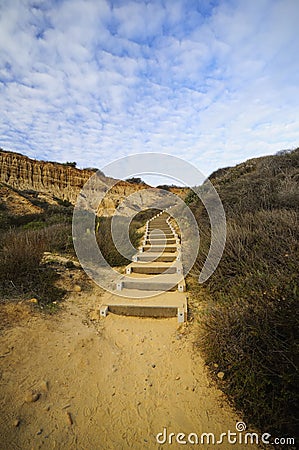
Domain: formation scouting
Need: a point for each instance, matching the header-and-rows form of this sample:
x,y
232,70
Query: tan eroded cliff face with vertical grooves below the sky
x,y
51,181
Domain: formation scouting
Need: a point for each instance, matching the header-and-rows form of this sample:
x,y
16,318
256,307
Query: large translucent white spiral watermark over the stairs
x,y
96,195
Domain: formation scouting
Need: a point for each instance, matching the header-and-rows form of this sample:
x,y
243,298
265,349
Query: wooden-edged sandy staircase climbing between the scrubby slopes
x,y
153,284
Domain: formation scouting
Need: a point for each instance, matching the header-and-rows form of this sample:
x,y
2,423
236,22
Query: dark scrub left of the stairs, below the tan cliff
x,y
25,238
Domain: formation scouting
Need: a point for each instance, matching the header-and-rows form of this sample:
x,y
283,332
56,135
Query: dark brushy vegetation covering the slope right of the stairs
x,y
250,324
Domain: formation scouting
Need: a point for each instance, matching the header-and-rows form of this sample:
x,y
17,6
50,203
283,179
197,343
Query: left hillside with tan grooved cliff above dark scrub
x,y
36,208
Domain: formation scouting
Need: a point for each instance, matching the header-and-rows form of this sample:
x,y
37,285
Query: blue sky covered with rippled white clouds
x,y
212,82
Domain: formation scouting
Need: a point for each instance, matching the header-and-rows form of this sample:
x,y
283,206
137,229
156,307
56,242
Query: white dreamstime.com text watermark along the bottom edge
x,y
239,436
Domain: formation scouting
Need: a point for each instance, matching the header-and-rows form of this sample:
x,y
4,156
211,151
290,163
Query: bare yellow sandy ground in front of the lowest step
x,y
110,383
